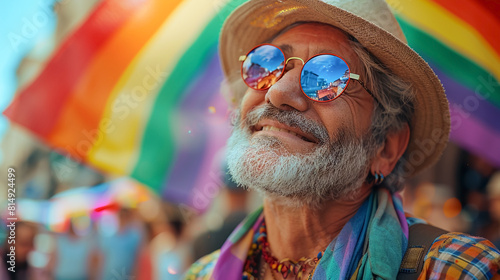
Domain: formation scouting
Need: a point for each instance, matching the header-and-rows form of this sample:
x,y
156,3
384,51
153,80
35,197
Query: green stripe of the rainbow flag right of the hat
x,y
452,63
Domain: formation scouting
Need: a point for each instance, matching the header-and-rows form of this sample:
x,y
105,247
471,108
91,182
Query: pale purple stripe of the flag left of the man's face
x,y
203,130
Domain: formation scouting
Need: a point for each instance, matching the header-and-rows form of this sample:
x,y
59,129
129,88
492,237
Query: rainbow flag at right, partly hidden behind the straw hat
x,y
461,41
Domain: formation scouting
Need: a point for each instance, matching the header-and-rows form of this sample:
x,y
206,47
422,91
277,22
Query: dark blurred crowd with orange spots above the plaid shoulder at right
x,y
464,196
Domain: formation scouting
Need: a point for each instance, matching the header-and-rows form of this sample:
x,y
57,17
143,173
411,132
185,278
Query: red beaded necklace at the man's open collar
x,y
286,267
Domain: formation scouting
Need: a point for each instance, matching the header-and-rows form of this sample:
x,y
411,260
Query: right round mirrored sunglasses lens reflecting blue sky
x,y
324,77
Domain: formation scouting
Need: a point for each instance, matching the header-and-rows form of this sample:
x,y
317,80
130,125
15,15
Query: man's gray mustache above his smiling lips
x,y
289,118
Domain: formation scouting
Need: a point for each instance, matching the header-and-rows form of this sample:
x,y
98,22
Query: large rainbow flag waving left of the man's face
x,y
134,91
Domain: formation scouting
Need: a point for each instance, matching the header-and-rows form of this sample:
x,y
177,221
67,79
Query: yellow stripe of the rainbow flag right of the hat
x,y
448,28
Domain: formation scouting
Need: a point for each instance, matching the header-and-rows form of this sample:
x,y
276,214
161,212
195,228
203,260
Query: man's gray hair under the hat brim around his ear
x,y
395,106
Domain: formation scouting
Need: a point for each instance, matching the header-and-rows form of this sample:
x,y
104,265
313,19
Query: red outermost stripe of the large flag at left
x,y
38,105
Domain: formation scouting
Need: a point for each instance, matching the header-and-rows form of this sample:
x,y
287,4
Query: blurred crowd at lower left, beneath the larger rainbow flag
x,y
121,244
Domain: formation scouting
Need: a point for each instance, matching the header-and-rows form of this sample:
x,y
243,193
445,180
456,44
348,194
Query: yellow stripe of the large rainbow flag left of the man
x,y
130,103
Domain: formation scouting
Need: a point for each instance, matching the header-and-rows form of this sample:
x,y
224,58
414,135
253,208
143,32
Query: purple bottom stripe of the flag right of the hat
x,y
470,133
